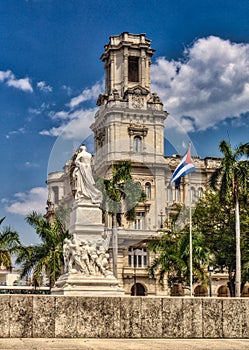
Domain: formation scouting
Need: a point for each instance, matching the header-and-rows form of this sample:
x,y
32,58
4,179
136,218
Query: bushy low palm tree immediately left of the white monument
x,y
46,257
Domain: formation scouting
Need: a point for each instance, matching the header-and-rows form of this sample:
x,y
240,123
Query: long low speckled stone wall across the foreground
x,y
36,316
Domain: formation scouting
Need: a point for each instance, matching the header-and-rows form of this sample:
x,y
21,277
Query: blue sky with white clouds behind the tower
x,y
51,75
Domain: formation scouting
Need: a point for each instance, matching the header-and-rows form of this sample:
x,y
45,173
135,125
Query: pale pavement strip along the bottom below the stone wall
x,y
122,344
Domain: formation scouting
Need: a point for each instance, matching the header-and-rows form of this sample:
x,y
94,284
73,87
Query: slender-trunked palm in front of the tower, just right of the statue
x,y
120,195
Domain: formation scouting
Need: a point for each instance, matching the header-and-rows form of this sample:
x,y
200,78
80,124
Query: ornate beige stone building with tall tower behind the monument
x,y
129,125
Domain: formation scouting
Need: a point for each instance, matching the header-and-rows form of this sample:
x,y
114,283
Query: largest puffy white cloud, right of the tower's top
x,y
208,86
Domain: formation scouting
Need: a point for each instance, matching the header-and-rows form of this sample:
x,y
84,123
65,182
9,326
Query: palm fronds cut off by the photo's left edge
x,y
9,244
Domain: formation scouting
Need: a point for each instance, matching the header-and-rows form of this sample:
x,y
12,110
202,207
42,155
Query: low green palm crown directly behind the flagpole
x,y
172,250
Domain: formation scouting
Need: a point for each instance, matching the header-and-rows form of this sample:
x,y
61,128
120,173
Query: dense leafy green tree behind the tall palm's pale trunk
x,y
216,221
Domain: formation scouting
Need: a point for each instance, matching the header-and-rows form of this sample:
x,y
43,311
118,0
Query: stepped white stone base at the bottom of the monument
x,y
76,284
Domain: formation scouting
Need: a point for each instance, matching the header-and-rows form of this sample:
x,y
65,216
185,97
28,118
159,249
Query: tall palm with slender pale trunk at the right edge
x,y
232,179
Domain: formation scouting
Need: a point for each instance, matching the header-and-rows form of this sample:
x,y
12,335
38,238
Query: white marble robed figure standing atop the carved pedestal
x,y
82,174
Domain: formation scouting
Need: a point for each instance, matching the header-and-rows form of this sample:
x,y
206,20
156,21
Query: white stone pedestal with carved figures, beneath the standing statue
x,y
86,257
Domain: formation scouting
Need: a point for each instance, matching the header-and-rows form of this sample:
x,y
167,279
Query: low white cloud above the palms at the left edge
x,y
26,202
